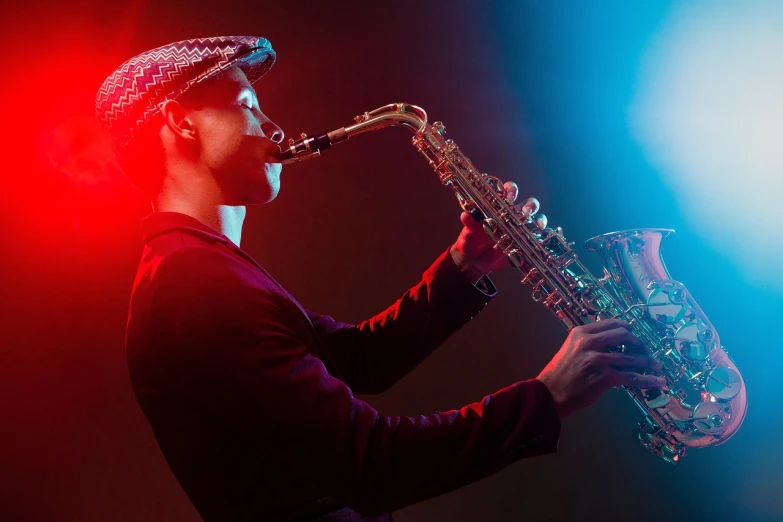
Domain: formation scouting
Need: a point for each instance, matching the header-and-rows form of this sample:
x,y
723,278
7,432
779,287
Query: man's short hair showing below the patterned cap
x,y
143,160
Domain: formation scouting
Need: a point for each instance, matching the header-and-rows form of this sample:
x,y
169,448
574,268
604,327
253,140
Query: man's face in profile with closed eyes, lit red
x,y
237,142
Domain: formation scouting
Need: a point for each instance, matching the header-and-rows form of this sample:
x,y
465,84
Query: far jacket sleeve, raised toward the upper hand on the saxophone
x,y
375,354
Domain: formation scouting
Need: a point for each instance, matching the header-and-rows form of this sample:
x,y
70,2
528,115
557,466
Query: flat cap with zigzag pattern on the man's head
x,y
133,94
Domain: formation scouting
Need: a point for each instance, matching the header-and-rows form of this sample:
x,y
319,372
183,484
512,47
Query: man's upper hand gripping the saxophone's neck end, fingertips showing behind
x,y
474,252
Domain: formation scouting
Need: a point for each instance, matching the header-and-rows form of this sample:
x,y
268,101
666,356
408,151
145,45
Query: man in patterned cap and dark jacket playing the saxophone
x,y
251,396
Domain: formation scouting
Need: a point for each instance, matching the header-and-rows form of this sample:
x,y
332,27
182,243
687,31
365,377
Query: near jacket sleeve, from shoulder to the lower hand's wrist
x,y
251,370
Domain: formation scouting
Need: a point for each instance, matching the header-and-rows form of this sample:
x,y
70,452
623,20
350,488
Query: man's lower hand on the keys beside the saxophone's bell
x,y
583,368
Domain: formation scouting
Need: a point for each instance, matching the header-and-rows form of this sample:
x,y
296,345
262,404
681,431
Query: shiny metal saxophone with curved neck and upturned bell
x,y
704,400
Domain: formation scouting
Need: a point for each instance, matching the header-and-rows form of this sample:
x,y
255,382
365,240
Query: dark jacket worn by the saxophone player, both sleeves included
x,y
251,397
